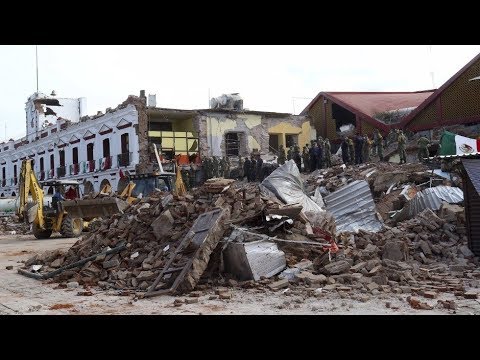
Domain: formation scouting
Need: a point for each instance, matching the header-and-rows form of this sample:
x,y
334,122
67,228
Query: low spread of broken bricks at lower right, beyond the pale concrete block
x,y
422,254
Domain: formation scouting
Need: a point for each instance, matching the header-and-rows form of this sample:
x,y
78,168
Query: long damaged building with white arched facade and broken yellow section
x,y
101,149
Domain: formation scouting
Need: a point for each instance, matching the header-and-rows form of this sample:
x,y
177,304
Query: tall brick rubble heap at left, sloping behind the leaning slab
x,y
152,229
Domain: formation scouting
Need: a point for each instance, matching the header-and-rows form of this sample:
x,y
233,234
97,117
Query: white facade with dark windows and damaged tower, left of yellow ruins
x,y
67,131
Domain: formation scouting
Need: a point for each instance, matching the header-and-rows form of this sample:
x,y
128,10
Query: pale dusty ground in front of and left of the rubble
x,y
23,295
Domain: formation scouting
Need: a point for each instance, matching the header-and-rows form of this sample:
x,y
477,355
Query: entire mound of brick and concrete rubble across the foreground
x,y
261,242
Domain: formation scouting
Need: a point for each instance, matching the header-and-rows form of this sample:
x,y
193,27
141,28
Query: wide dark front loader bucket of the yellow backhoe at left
x,y
92,208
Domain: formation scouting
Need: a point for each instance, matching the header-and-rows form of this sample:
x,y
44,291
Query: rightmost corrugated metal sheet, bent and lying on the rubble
x,y
430,198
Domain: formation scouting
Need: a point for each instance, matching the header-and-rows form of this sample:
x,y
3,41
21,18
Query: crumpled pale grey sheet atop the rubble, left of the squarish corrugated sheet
x,y
287,185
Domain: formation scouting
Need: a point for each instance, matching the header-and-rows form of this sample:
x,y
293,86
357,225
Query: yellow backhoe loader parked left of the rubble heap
x,y
67,216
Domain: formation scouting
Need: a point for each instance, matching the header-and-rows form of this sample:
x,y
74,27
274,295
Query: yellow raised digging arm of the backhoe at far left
x,y
29,185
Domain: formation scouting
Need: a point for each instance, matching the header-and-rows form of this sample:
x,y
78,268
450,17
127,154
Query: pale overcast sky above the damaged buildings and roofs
x,y
269,78
